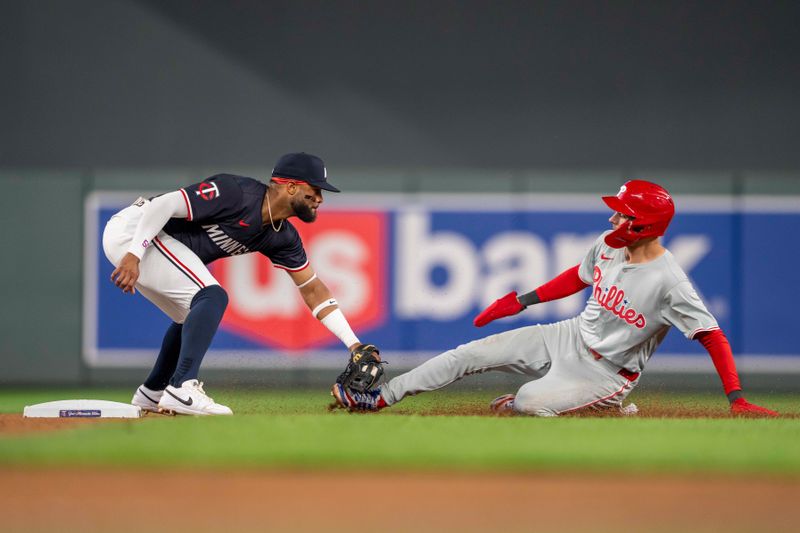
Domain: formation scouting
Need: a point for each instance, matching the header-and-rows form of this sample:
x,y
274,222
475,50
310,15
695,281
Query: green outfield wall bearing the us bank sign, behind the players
x,y
512,231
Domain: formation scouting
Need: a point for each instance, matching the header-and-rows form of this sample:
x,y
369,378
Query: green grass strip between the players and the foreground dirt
x,y
280,429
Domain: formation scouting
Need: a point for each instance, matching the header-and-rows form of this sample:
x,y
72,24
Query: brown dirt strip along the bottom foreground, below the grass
x,y
95,500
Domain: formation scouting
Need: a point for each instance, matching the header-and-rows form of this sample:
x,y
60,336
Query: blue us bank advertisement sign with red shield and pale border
x,y
410,275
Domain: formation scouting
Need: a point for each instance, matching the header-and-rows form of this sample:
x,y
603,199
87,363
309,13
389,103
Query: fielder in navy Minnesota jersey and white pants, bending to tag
x,y
161,247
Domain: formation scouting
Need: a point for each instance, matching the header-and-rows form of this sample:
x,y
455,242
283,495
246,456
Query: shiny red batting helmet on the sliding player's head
x,y
649,204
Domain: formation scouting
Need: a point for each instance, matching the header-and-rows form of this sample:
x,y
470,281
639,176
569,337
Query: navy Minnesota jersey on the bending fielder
x,y
225,219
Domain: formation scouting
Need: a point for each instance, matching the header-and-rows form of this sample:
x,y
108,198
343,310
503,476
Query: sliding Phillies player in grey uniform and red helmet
x,y
594,360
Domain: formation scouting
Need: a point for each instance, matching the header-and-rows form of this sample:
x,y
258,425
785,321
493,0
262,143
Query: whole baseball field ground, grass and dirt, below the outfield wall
x,y
437,462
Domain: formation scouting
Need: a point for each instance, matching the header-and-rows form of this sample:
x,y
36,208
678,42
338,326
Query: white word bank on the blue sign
x,y
510,260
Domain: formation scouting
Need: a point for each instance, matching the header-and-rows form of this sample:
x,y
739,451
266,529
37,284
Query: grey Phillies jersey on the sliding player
x,y
633,305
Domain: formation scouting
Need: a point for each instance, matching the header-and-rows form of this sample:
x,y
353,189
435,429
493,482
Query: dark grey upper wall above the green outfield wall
x,y
407,83
